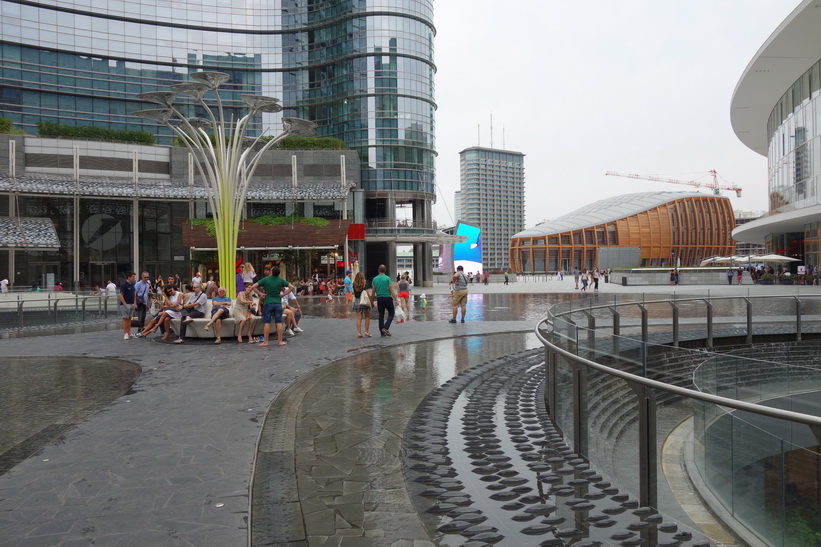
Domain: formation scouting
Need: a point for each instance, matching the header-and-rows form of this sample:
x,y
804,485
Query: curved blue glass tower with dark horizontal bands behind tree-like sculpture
x,y
362,69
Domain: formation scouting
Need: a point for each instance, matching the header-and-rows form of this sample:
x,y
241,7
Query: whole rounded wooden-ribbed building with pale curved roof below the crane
x,y
660,228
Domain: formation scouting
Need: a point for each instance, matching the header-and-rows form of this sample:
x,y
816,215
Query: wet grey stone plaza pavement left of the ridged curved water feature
x,y
172,461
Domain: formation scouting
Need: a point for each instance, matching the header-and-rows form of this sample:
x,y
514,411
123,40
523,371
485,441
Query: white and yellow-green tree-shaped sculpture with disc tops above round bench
x,y
227,163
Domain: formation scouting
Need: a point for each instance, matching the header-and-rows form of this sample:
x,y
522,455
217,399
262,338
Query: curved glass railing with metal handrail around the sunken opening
x,y
624,374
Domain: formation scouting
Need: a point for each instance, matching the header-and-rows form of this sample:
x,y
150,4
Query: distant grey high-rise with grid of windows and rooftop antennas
x,y
493,199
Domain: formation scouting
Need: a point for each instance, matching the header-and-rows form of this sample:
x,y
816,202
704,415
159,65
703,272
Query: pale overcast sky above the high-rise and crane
x,y
634,86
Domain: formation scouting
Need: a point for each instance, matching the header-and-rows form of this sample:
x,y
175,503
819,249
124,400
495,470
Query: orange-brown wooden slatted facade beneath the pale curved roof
x,y
690,229
